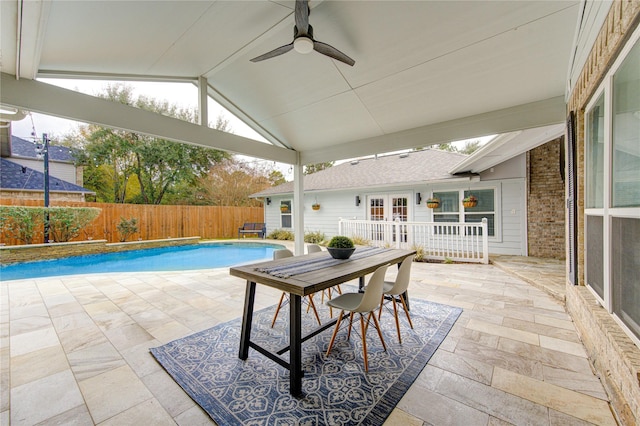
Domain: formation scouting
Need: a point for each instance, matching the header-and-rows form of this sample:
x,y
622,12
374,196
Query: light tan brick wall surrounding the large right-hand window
x,y
613,354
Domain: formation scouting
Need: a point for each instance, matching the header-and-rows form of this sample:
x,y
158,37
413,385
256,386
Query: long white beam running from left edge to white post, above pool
x,y
45,98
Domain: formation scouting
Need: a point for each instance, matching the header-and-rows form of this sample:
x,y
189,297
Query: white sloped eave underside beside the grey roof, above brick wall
x,y
506,146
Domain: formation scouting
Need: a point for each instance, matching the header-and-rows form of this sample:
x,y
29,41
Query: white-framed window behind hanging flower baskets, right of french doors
x,y
452,210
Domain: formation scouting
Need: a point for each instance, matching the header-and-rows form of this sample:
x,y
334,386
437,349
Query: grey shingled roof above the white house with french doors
x,y
427,165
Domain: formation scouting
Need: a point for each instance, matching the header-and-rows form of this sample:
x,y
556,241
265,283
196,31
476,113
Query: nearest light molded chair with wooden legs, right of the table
x,y
363,304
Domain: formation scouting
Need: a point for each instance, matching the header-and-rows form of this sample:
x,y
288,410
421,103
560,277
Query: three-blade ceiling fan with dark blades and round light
x,y
303,41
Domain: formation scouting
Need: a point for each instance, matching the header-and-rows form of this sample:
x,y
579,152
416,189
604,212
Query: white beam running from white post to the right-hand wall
x,y
527,116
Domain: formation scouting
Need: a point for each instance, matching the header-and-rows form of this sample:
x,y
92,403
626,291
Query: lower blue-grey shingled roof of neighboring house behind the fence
x,y
14,176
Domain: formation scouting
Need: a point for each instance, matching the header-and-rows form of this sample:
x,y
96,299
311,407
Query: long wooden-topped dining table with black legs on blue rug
x,y
302,276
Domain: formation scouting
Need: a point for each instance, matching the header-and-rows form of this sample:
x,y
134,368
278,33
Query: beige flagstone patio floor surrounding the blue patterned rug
x,y
75,349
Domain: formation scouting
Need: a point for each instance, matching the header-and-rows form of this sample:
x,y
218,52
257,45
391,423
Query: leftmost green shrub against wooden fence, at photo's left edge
x,y
22,223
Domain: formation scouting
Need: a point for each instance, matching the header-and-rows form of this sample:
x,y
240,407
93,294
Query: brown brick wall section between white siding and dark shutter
x,y
545,202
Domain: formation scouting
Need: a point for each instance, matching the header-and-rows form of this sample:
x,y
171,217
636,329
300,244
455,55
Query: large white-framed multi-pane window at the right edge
x,y
612,190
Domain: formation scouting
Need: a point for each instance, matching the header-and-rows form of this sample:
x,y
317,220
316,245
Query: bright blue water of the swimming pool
x,y
200,256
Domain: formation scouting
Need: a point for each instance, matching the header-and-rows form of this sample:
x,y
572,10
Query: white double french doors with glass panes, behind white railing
x,y
387,209
